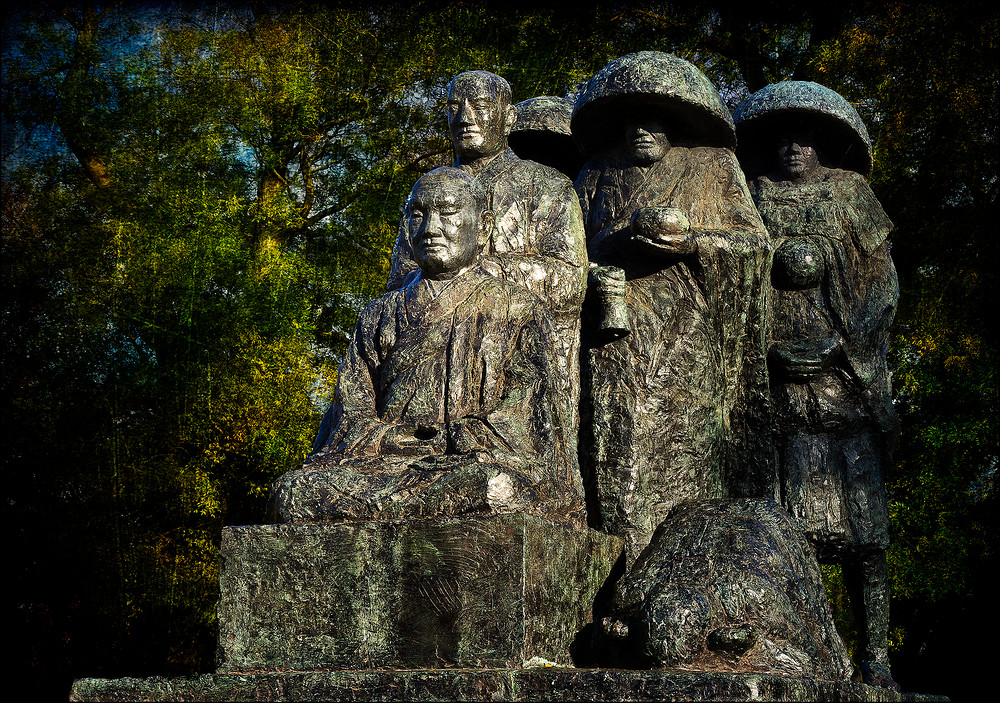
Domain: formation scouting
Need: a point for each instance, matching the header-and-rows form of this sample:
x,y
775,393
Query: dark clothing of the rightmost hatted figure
x,y
836,428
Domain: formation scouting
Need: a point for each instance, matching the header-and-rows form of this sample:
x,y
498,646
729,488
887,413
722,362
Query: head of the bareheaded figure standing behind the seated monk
x,y
479,116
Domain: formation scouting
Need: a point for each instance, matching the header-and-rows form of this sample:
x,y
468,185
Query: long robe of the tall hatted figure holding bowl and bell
x,y
676,409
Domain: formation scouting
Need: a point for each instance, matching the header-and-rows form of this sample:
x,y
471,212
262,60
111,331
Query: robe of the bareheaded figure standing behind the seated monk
x,y
537,244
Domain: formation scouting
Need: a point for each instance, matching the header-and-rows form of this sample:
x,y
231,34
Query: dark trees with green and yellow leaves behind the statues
x,y
198,199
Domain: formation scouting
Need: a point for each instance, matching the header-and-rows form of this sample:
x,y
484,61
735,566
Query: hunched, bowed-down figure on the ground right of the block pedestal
x,y
728,586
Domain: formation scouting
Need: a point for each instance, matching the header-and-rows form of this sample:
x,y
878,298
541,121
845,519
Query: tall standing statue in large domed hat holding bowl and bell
x,y
674,384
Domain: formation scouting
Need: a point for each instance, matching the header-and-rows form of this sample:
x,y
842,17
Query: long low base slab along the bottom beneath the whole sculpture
x,y
545,684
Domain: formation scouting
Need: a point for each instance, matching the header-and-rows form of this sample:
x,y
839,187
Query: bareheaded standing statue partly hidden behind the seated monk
x,y
537,241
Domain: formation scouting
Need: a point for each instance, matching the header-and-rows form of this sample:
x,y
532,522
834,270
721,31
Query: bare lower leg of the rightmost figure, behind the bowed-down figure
x,y
868,588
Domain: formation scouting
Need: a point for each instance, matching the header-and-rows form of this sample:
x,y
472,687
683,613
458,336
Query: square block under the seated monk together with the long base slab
x,y
472,609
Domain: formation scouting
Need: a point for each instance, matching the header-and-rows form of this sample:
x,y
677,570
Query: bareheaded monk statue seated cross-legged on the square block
x,y
445,403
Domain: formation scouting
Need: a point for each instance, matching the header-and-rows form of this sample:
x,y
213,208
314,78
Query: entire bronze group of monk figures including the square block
x,y
678,362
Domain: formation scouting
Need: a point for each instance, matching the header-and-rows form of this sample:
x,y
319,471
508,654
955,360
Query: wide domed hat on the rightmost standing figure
x,y
842,139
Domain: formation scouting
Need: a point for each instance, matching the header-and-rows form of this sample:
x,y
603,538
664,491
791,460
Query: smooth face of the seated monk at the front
x,y
444,226
